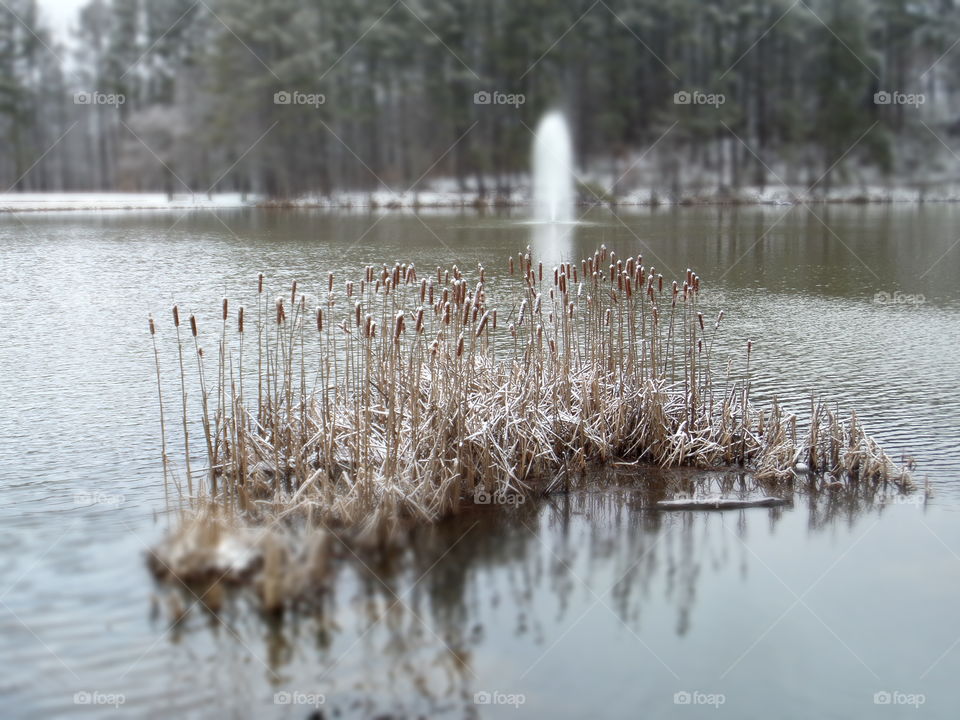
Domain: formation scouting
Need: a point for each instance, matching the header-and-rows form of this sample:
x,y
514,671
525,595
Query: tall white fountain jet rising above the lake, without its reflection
x,y
553,170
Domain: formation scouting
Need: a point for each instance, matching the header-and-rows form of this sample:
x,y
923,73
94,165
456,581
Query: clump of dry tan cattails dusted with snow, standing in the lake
x,y
398,395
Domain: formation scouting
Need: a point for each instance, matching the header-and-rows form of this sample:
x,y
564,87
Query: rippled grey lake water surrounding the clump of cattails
x,y
584,605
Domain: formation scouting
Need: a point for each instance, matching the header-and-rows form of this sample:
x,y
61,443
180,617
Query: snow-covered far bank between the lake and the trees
x,y
465,200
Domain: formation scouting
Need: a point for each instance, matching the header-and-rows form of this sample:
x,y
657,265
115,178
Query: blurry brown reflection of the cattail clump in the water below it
x,y
411,632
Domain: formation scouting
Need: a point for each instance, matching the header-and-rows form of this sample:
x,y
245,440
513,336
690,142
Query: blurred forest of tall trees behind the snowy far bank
x,y
289,97
